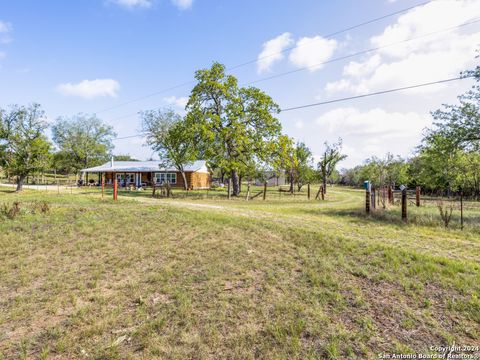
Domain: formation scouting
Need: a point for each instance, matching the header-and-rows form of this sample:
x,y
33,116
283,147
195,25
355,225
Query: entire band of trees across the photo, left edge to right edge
x,y
236,130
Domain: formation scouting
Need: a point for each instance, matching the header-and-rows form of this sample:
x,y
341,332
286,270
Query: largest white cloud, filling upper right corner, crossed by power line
x,y
426,59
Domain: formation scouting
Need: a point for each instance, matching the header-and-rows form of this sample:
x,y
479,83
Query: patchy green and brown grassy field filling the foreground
x,y
207,278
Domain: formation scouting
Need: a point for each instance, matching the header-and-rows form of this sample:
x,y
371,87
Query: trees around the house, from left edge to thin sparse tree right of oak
x,y
234,128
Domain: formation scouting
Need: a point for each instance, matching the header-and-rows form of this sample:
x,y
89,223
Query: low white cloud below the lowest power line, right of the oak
x,y
374,131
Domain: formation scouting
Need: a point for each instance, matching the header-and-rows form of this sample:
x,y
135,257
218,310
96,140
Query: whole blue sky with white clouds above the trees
x,y
91,55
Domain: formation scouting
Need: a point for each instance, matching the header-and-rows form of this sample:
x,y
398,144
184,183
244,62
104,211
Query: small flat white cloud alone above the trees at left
x,y
89,89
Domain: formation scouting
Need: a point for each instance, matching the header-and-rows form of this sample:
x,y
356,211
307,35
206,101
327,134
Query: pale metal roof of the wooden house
x,y
145,166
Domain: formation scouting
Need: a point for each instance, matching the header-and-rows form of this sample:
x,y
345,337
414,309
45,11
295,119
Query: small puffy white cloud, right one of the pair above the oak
x,y
312,52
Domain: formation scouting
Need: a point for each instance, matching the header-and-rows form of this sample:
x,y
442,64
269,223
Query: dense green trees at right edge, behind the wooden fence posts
x,y
447,160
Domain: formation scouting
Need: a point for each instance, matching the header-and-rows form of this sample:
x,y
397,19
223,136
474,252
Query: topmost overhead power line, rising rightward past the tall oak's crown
x,y
255,60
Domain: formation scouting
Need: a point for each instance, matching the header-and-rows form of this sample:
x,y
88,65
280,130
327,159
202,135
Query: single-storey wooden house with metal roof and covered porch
x,y
147,173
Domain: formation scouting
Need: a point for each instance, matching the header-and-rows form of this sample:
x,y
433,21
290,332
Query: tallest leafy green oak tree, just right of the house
x,y
233,125
